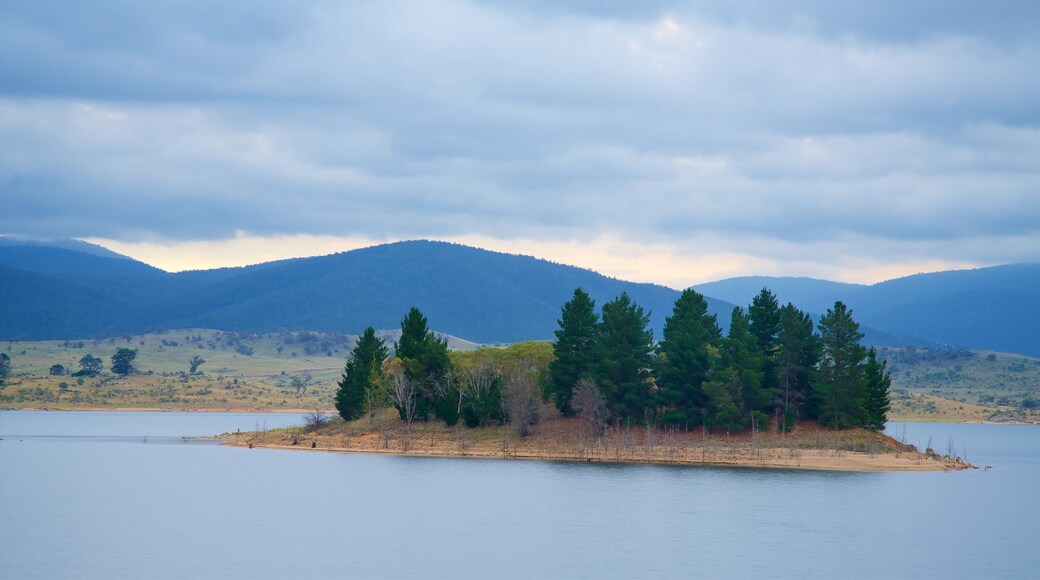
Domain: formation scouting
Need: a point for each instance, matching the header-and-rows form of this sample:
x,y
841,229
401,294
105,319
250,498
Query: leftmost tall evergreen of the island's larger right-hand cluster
x,y
575,349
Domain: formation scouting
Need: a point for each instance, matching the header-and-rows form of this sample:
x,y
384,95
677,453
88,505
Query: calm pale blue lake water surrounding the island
x,y
118,495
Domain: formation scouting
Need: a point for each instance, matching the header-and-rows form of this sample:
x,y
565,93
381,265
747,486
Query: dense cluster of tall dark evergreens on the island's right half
x,y
772,370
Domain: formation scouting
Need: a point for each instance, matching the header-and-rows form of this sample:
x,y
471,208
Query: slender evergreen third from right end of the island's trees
x,y
795,361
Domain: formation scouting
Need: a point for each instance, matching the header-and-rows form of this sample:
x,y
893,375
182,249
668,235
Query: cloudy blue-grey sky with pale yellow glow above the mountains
x,y
675,143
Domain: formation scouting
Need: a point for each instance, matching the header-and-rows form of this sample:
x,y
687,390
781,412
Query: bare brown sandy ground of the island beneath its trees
x,y
810,447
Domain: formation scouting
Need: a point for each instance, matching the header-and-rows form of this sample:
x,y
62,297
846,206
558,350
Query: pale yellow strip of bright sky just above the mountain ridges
x,y
659,263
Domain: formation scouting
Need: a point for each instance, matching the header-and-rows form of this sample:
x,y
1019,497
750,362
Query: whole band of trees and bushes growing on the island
x,y
773,368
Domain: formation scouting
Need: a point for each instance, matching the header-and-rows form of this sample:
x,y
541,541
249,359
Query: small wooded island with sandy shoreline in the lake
x,y
772,393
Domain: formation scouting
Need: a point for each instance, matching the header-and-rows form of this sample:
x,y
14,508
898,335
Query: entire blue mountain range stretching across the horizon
x,y
72,289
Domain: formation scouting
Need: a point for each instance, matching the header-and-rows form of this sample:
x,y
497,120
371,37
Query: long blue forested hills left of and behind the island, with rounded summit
x,y
477,295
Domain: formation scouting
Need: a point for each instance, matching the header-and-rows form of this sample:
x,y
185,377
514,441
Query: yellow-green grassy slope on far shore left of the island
x,y
243,373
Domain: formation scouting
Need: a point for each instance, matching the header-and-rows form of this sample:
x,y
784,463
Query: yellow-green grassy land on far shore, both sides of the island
x,y
299,371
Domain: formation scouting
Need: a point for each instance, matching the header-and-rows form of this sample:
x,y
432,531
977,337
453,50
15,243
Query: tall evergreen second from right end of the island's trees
x,y
841,386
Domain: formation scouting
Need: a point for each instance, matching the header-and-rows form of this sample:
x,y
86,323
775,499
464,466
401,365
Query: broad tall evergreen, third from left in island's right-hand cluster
x,y
690,344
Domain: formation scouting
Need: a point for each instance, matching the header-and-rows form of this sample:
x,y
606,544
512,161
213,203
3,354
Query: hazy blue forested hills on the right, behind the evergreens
x,y
996,308
